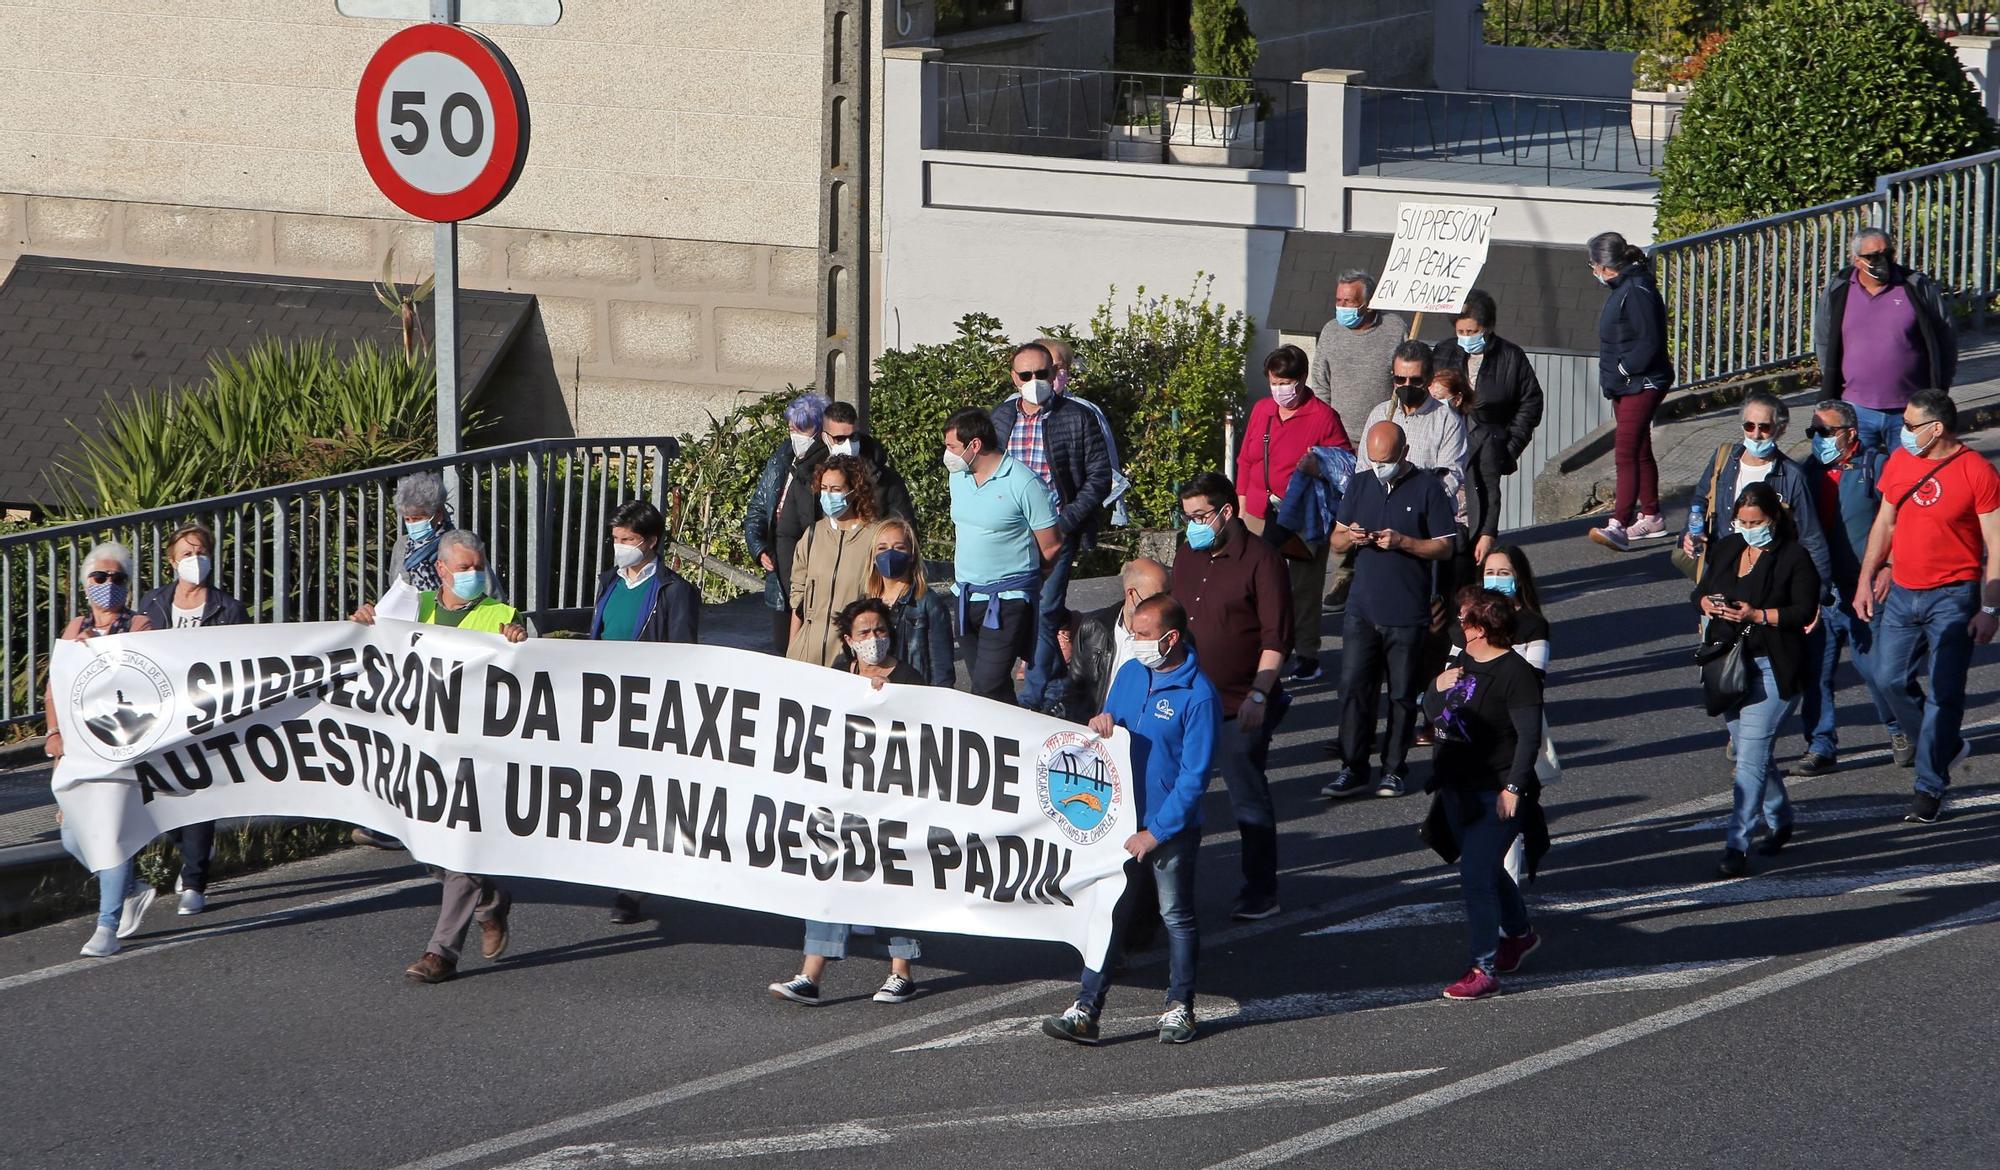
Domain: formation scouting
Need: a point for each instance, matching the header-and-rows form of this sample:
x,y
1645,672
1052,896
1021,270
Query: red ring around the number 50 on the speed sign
x,y
509,131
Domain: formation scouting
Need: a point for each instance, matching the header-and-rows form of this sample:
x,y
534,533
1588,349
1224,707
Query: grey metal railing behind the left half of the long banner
x,y
315,551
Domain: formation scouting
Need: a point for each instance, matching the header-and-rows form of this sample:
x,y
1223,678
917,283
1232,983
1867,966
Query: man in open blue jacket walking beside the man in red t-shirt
x,y
1843,475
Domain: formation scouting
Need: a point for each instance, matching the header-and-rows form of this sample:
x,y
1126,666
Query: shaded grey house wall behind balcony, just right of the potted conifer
x,y
1391,39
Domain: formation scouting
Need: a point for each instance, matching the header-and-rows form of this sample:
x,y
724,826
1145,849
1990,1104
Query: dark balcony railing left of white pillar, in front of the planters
x,y
1123,117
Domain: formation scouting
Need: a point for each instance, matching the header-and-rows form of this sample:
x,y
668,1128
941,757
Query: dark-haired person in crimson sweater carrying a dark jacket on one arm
x,y
1279,435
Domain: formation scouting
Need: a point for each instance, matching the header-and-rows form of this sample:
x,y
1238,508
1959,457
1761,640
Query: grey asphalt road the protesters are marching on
x,y
1829,1011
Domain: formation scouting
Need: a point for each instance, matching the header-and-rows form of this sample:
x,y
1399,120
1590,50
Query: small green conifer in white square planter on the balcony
x,y
1215,123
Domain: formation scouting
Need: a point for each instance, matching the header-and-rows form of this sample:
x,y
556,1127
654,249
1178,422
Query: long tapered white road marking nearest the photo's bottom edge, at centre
x,y
1181,1103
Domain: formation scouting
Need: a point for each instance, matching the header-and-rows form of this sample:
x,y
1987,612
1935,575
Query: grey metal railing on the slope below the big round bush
x,y
1739,301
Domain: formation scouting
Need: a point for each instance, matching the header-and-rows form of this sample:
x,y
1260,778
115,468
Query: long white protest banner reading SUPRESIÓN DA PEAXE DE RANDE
x,y
689,771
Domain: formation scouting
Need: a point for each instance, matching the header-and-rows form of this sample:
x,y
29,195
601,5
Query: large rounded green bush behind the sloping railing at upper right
x,y
1811,103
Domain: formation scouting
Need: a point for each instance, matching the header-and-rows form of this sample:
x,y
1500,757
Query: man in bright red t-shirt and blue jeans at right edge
x,y
1933,571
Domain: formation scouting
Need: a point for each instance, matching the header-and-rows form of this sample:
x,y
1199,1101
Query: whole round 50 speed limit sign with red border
x,y
443,123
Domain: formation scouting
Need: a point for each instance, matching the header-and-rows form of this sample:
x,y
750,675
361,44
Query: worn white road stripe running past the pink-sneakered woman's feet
x,y
1315,1005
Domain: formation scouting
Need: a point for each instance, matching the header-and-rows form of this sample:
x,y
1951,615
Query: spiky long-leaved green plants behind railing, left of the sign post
x,y
273,415
